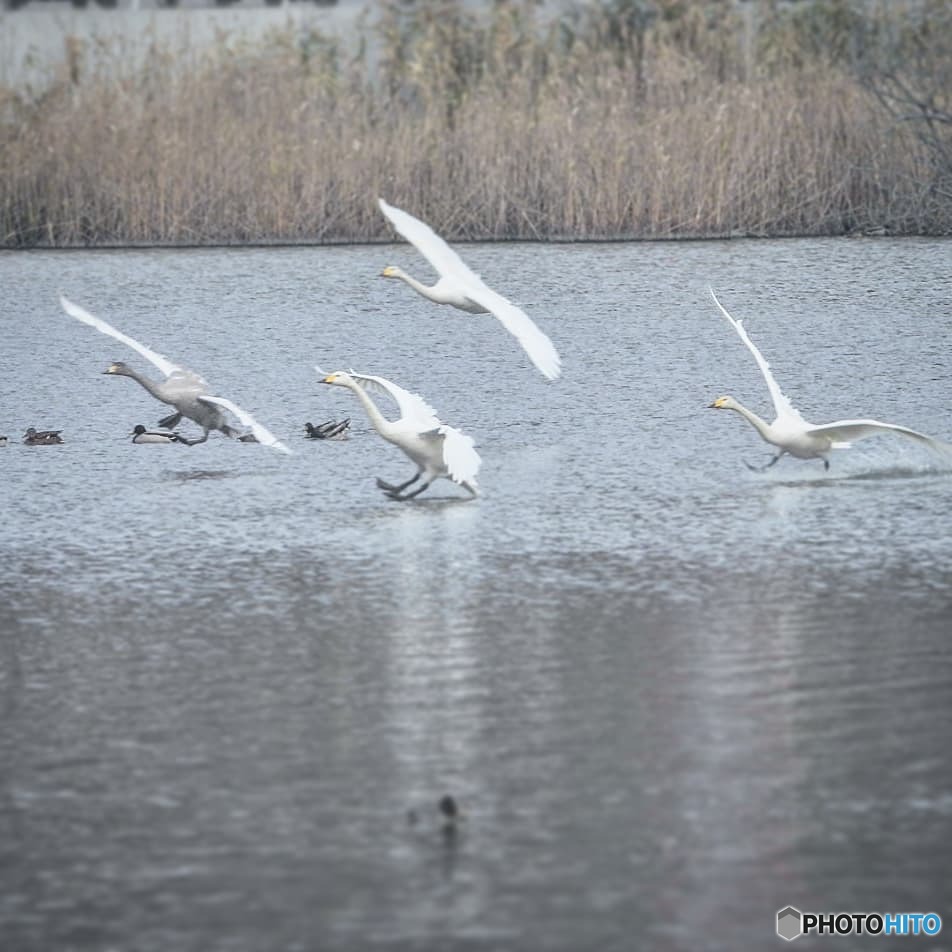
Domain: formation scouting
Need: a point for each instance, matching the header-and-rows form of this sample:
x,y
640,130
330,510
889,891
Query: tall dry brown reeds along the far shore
x,y
638,118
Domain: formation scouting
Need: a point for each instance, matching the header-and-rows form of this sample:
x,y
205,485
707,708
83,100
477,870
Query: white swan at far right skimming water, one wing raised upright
x,y
790,433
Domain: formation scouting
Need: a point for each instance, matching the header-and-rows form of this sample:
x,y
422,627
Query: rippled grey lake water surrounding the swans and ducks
x,y
671,695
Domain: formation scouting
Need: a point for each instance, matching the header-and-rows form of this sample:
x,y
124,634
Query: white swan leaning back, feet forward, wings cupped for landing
x,y
436,449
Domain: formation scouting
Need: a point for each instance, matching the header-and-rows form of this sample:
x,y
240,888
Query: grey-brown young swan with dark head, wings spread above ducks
x,y
182,389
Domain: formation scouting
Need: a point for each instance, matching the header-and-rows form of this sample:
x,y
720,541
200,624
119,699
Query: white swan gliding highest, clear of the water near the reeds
x,y
464,289
